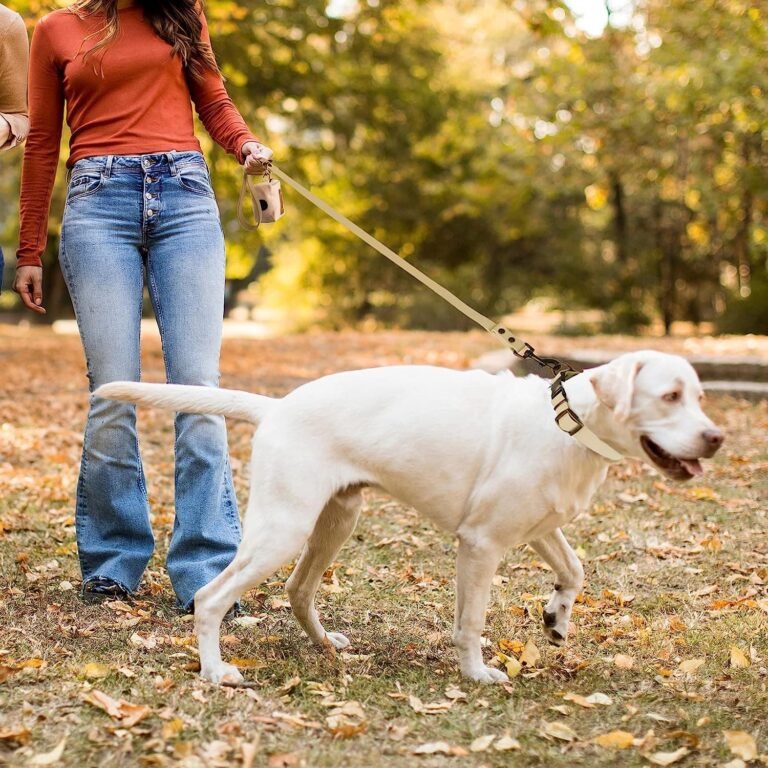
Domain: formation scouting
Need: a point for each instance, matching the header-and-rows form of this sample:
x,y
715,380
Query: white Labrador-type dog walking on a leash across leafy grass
x,y
479,455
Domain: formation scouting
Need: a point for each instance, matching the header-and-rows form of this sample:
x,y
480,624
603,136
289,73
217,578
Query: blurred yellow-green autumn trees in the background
x,y
504,148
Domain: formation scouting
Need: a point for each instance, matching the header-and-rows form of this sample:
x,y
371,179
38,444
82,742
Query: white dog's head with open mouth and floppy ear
x,y
655,404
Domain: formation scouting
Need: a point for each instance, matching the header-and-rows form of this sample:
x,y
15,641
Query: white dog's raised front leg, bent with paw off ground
x,y
569,572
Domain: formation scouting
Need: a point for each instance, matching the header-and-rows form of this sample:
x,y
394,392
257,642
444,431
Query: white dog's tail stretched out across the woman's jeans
x,y
231,403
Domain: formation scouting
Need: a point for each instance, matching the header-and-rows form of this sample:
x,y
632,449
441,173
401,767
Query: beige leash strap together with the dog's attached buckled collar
x,y
565,418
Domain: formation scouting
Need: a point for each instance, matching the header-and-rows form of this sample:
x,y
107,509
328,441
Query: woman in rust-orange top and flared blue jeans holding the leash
x,y
139,202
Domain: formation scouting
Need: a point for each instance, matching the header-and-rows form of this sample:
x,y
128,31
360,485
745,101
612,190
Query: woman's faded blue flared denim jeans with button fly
x,y
126,218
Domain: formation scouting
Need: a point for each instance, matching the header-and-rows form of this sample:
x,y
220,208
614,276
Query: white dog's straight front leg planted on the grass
x,y
477,562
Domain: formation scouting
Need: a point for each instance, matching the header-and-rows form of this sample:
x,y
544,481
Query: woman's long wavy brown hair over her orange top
x,y
177,22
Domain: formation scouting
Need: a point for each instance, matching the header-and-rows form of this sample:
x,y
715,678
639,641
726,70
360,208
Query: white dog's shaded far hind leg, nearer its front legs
x,y
333,528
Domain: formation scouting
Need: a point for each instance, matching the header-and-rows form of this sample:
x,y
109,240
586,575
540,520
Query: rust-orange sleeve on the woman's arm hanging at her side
x,y
41,157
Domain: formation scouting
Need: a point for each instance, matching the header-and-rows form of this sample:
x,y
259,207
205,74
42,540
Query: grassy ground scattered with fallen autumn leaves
x,y
670,629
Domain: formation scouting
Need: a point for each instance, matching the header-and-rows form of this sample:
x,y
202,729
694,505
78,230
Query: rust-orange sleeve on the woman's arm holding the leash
x,y
215,108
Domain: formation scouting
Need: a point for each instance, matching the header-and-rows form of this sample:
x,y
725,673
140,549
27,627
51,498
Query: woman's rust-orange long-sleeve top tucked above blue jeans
x,y
132,97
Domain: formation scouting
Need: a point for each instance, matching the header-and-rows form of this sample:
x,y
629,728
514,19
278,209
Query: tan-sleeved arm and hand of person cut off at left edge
x,y
14,60
